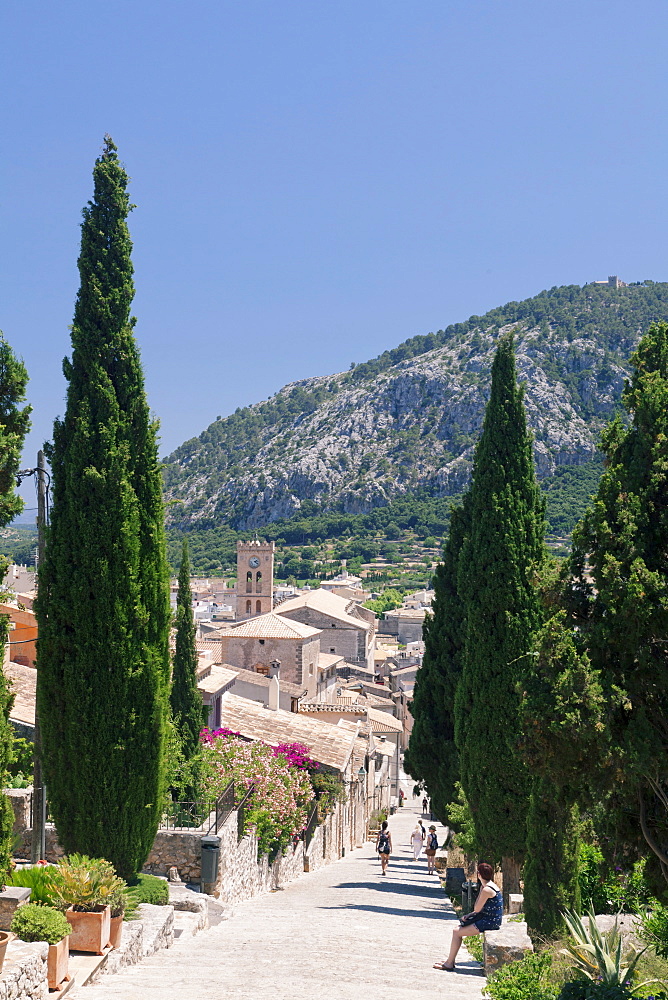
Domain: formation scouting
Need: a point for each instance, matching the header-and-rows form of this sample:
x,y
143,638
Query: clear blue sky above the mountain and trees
x,y
315,182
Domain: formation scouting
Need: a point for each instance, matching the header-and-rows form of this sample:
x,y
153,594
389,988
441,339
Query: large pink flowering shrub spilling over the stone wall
x,y
279,807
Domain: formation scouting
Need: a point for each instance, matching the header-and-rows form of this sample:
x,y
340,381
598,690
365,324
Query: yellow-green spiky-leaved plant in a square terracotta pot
x,y
82,887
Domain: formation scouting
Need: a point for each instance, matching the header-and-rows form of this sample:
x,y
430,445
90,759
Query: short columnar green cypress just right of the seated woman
x,y
551,866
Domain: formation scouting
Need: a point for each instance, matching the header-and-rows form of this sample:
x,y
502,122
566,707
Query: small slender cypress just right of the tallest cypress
x,y
185,698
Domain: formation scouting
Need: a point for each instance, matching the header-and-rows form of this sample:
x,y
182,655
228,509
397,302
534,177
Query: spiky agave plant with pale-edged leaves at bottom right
x,y
598,955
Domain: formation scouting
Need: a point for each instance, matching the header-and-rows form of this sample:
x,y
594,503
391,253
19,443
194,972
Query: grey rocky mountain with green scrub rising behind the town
x,y
409,419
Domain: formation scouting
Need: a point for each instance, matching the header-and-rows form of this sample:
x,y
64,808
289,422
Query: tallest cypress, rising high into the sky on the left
x,y
103,608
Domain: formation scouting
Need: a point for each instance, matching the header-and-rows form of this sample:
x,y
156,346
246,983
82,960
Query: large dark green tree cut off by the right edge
x,y
618,600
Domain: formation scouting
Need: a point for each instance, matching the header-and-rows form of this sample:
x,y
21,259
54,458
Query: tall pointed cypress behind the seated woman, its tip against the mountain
x,y
496,568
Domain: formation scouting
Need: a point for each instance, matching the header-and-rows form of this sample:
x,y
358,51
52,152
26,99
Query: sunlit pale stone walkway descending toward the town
x,y
341,932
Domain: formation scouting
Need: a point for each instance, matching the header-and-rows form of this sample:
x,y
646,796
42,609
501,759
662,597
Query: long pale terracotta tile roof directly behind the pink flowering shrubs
x,y
327,743
